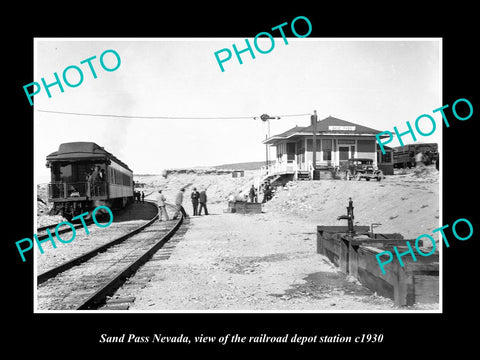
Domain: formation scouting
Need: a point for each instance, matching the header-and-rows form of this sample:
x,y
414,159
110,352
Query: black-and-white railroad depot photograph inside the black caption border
x,y
237,210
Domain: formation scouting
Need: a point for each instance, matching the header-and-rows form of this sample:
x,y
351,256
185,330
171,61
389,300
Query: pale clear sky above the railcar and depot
x,y
378,83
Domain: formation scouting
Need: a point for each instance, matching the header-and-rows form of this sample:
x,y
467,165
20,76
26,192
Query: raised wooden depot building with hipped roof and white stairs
x,y
336,141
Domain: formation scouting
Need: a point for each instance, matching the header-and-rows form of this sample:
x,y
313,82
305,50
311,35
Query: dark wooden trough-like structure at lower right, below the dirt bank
x,y
415,282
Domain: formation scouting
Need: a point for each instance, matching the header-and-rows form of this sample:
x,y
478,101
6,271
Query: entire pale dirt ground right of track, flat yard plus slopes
x,y
268,261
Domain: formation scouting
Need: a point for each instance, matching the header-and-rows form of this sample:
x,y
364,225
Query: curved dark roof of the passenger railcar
x,y
81,150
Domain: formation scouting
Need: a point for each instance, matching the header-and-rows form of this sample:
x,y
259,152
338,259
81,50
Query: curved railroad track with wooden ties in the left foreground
x,y
86,281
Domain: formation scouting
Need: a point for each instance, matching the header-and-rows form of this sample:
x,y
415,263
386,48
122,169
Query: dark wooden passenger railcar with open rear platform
x,y
83,176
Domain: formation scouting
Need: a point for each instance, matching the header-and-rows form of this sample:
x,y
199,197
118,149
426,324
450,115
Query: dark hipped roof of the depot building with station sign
x,y
328,126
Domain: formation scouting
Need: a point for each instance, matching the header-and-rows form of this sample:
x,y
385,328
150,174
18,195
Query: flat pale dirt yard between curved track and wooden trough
x,y
251,262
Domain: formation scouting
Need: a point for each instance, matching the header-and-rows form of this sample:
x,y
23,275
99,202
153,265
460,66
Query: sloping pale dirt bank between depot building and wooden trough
x,y
407,204
